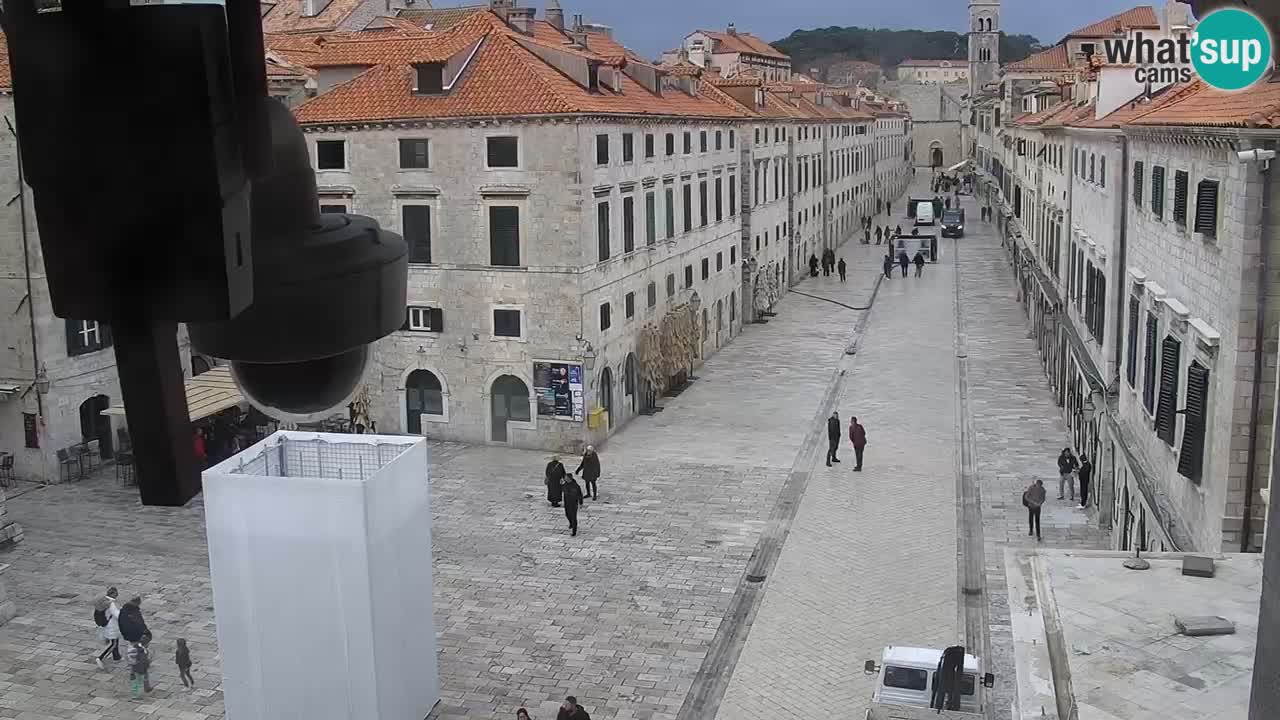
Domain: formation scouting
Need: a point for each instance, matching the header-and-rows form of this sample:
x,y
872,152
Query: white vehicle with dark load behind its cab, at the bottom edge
x,y
906,682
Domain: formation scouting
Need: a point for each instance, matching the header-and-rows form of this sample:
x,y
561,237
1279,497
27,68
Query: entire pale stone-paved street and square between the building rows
x,y
625,616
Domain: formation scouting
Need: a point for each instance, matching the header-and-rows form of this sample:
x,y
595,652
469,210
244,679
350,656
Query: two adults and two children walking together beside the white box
x,y
116,623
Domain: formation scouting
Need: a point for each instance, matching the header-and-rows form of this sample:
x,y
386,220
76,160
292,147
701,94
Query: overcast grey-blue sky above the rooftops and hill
x,y
653,26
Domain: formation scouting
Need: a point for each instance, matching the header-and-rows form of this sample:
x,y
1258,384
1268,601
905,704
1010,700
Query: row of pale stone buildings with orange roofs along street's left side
x,y
554,231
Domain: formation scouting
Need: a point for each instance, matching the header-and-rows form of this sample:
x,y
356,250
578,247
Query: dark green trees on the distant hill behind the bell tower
x,y
888,48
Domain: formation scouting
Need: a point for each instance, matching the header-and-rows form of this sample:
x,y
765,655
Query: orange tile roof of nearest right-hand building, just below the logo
x,y
1206,107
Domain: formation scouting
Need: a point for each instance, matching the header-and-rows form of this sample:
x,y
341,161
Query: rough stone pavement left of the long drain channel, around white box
x,y
621,617
